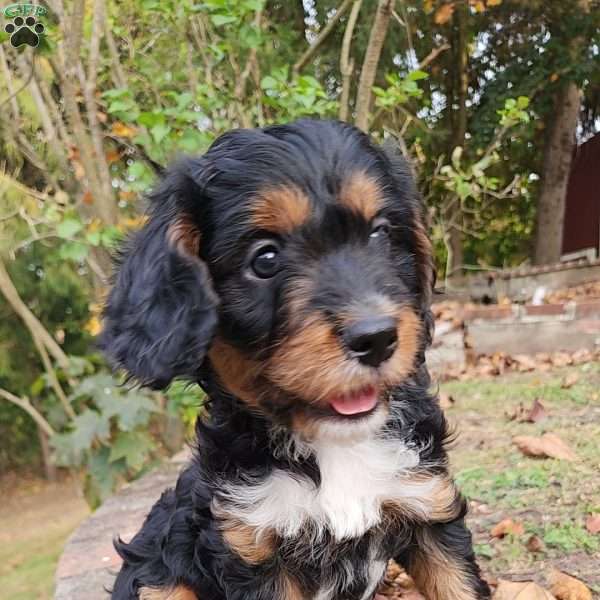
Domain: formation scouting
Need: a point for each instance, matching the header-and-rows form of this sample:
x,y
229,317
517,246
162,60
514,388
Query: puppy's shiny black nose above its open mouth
x,y
372,341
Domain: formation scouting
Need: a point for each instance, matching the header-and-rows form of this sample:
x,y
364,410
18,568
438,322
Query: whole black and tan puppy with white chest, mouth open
x,y
288,272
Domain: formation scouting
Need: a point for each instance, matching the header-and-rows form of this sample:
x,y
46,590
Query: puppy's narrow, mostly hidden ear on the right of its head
x,y
404,179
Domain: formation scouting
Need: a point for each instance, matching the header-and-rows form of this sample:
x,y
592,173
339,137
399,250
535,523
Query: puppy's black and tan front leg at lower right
x,y
442,563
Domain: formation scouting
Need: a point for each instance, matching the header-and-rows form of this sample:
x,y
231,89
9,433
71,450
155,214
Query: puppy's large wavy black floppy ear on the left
x,y
161,314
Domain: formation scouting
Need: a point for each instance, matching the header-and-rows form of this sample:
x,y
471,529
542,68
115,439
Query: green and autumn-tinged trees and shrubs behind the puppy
x,y
467,88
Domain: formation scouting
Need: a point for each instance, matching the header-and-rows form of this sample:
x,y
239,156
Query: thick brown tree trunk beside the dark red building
x,y
558,154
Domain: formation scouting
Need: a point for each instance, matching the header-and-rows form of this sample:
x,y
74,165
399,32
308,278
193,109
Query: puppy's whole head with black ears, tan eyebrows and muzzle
x,y
293,263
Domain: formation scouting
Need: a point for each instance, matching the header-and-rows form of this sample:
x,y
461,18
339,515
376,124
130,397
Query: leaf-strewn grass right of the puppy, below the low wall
x,y
550,498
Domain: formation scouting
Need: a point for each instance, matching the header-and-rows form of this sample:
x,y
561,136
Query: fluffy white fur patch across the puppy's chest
x,y
356,478
